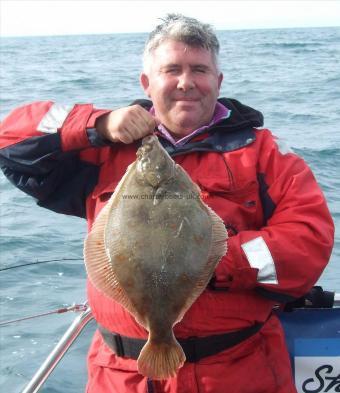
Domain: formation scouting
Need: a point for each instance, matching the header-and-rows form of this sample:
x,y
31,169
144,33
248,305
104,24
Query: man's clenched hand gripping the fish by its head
x,y
126,124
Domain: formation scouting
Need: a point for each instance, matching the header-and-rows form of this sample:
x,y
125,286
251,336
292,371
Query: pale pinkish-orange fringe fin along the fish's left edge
x,y
97,261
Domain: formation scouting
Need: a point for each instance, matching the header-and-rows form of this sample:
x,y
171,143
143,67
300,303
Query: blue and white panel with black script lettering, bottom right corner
x,y
313,339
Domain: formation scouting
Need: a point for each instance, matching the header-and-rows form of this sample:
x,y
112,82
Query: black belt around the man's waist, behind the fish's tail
x,y
195,348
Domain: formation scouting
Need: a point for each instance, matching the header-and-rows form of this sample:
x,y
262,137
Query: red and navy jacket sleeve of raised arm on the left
x,y
40,153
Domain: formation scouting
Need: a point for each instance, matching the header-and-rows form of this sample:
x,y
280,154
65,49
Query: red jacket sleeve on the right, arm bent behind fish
x,y
285,258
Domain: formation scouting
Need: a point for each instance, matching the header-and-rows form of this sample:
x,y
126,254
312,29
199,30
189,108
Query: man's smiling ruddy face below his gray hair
x,y
183,83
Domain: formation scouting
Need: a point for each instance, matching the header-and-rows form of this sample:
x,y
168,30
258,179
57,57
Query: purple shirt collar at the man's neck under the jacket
x,y
220,113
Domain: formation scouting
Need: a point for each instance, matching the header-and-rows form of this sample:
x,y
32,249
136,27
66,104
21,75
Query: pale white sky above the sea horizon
x,y
64,17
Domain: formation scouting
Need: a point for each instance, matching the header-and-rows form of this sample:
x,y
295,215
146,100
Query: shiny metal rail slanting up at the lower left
x,y
58,352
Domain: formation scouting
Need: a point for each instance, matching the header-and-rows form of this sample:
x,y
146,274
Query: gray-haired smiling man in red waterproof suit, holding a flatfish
x,y
281,232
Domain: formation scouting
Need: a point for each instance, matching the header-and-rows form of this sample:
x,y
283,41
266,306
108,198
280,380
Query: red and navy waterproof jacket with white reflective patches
x,y
281,232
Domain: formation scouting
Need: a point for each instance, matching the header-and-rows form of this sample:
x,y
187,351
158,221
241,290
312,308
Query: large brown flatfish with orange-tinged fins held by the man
x,y
153,248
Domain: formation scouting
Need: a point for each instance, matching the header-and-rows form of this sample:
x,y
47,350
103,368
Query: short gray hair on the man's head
x,y
181,28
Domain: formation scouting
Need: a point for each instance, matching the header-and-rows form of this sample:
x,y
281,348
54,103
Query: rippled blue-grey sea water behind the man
x,y
291,75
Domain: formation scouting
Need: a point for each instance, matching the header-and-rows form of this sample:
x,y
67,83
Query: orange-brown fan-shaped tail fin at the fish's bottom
x,y
160,360
